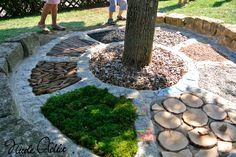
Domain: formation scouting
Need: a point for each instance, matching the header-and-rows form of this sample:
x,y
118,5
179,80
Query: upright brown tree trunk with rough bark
x,y
140,26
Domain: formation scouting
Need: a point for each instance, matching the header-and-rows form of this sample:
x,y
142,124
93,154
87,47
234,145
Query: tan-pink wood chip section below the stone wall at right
x,y
202,52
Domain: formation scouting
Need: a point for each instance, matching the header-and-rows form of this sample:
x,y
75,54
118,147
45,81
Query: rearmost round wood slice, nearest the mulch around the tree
x,y
191,100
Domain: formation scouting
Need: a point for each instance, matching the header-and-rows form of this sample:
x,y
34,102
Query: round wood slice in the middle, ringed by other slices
x,y
195,117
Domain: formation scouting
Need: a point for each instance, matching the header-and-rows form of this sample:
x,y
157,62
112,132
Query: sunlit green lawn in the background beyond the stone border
x,y
93,18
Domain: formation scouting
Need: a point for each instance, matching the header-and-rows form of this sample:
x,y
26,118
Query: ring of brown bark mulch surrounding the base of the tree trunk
x,y
164,70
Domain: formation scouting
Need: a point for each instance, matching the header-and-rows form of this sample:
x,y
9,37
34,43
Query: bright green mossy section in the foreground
x,y
95,119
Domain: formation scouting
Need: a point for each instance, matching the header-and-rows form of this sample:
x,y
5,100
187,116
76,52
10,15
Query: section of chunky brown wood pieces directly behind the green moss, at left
x,y
48,77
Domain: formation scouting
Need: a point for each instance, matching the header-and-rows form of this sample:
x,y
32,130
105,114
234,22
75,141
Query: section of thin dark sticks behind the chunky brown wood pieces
x,y
72,47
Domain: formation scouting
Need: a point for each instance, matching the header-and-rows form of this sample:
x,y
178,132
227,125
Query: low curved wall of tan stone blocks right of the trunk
x,y
225,34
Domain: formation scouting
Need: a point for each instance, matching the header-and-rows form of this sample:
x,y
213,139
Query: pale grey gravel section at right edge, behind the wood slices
x,y
219,79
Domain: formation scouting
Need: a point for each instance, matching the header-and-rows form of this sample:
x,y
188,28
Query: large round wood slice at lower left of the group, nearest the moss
x,y
172,140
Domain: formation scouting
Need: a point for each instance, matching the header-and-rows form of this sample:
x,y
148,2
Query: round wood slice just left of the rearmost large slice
x,y
174,105
